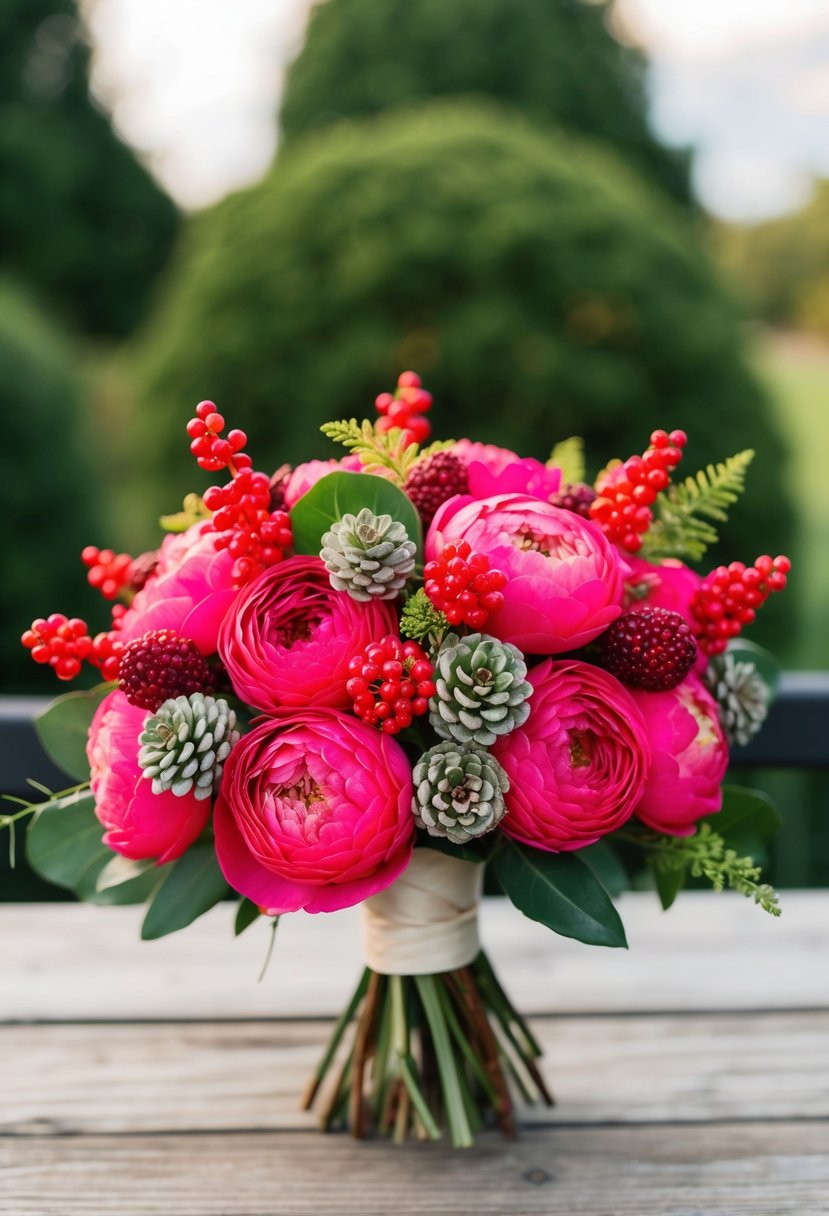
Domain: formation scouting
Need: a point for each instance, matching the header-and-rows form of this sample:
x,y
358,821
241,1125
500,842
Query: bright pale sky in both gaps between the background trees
x,y
195,85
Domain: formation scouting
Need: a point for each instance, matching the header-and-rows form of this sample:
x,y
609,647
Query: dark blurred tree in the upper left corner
x,y
82,222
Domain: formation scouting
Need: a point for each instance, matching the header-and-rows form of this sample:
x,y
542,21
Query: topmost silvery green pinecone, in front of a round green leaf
x,y
369,556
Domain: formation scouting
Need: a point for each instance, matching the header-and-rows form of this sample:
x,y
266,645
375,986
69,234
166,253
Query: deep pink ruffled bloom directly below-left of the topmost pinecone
x,y
289,641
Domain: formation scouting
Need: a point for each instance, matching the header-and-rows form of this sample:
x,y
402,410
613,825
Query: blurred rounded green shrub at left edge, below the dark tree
x,y
49,489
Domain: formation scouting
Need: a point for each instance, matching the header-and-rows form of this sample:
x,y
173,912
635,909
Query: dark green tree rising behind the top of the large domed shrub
x,y
559,61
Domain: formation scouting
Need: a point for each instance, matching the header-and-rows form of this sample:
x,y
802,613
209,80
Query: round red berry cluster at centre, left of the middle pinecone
x,y
391,684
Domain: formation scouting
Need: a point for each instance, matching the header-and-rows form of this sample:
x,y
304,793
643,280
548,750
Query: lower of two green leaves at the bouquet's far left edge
x,y
65,845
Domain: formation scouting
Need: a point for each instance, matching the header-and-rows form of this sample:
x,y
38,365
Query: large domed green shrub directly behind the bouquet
x,y
540,290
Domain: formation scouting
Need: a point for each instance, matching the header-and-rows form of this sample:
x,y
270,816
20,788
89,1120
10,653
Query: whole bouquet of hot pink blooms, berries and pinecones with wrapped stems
x,y
370,680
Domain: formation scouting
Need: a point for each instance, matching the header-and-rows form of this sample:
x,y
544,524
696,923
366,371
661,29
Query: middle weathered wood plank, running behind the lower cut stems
x,y
84,1079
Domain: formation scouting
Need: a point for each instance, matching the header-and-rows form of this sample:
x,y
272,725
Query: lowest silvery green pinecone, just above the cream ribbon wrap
x,y
459,792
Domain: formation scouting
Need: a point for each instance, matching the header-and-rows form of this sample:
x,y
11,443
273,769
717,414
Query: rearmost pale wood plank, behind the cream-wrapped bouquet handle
x,y
708,953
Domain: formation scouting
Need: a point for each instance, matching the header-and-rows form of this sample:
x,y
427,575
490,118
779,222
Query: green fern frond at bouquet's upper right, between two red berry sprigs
x,y
684,513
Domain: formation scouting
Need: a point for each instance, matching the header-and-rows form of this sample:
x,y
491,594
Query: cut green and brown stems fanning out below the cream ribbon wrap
x,y
428,1052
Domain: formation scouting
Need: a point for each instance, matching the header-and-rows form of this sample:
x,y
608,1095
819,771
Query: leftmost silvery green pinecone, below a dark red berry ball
x,y
185,744
